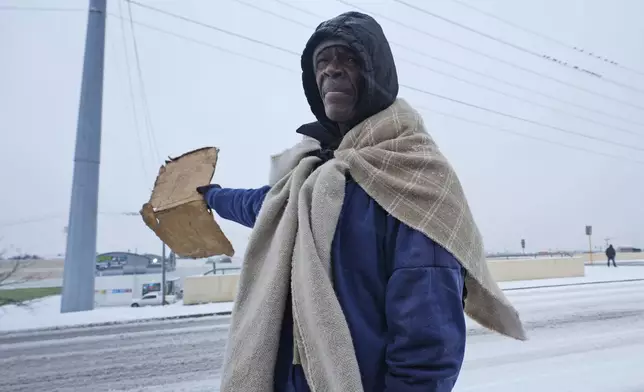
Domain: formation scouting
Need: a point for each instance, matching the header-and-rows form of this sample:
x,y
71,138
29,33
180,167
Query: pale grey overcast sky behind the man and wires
x,y
199,96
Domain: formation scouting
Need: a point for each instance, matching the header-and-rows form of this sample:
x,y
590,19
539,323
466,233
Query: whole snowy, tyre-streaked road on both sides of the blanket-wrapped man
x,y
583,338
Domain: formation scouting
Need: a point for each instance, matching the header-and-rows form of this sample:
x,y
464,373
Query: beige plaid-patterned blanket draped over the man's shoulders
x,y
396,162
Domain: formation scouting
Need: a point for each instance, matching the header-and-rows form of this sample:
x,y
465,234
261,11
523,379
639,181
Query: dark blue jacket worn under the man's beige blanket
x,y
401,294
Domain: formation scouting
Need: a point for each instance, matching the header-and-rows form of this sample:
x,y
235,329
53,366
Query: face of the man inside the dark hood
x,y
338,74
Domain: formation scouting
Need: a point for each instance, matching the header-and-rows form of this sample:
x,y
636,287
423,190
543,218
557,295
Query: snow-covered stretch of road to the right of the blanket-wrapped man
x,y
586,338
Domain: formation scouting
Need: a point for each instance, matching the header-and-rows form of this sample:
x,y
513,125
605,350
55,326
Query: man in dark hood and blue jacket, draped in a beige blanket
x,y
345,285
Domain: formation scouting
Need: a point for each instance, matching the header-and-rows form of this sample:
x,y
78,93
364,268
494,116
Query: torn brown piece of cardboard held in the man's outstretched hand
x,y
178,214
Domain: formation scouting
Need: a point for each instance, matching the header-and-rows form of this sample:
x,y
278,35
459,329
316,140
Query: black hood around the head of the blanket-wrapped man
x,y
365,36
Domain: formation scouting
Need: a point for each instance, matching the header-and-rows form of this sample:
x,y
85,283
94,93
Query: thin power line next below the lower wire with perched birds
x,y
494,58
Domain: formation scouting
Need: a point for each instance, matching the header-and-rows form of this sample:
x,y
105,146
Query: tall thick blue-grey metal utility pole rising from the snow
x,y
80,256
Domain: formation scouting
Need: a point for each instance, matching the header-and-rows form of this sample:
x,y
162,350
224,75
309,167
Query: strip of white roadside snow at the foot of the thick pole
x,y
45,313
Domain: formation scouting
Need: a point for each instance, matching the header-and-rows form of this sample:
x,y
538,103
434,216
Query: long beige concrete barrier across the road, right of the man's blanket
x,y
529,269
